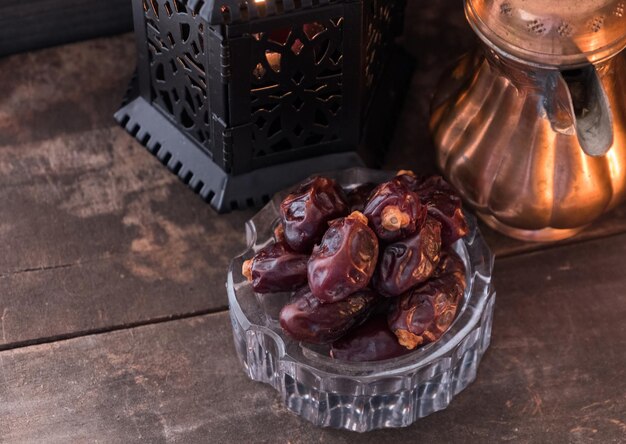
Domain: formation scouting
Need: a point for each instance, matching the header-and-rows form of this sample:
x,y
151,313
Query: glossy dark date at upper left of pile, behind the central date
x,y
305,214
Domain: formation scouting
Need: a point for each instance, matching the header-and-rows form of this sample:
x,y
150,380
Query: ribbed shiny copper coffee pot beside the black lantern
x,y
531,127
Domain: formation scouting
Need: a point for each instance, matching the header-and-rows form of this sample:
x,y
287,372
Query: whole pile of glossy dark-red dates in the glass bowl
x,y
372,269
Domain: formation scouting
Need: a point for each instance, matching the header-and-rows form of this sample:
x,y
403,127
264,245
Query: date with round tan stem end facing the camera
x,y
394,211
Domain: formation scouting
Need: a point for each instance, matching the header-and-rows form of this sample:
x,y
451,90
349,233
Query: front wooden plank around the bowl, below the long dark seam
x,y
556,372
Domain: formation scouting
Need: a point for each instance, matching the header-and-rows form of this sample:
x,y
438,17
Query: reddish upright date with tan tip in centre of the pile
x,y
345,260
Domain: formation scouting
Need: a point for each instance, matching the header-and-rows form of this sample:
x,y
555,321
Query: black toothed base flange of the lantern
x,y
226,192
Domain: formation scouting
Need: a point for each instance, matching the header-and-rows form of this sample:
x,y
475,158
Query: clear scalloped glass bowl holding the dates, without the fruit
x,y
359,396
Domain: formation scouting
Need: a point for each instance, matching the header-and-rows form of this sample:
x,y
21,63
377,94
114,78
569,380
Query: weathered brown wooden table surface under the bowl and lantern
x,y
113,312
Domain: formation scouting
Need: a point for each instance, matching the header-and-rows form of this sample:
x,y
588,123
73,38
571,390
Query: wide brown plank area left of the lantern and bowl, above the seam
x,y
96,233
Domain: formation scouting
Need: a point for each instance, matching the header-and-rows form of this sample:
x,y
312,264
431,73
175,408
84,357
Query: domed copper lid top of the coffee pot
x,y
554,33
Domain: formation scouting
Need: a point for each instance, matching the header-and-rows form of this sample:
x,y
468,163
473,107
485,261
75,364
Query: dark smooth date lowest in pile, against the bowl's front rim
x,y
370,341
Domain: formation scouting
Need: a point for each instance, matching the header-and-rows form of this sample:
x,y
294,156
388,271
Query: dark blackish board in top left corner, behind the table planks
x,y
30,24
